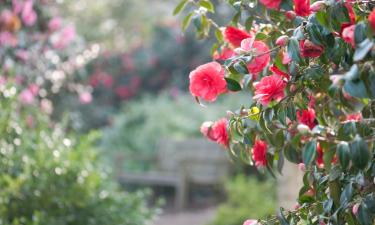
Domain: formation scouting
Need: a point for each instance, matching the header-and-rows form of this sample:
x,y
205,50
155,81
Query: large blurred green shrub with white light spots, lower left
x,y
50,178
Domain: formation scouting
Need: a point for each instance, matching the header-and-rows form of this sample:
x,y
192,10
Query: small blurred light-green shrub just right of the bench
x,y
247,198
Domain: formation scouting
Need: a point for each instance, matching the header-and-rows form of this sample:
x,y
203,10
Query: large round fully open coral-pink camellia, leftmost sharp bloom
x,y
207,81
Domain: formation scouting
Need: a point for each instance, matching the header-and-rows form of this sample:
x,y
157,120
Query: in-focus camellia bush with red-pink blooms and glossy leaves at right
x,y
309,67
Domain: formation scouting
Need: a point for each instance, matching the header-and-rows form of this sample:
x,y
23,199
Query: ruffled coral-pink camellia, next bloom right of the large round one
x,y
269,88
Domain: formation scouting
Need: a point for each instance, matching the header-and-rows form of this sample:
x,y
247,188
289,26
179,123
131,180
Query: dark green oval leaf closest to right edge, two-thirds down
x,y
360,153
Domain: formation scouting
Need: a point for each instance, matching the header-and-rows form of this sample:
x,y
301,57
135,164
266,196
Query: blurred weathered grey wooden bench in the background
x,y
183,163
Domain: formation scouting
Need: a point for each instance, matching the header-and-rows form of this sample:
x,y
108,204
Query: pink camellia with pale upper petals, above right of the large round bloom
x,y
257,64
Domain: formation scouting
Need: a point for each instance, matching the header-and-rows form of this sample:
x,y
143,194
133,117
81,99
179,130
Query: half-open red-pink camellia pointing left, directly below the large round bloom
x,y
216,131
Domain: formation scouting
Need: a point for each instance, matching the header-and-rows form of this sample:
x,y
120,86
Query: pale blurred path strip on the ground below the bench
x,y
191,217
